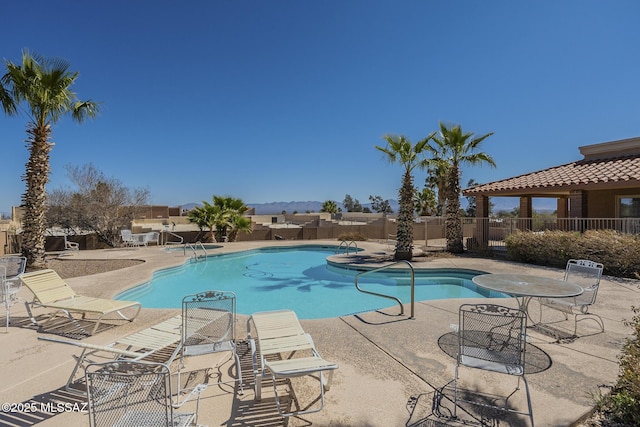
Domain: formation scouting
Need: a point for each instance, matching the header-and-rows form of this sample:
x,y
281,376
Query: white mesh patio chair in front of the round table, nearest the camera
x,y
492,338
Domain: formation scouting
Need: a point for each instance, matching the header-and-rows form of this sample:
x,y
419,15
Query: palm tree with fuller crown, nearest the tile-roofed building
x,y
451,148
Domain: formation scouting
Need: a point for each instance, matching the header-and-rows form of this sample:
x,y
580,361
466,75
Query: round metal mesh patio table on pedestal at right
x,y
526,286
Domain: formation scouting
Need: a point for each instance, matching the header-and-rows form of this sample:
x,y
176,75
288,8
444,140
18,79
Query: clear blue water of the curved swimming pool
x,y
298,278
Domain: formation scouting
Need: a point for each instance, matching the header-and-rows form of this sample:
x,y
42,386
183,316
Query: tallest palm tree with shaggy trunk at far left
x,y
44,85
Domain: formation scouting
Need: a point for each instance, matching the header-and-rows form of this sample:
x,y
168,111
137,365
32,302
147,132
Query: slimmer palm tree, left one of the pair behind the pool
x,y
400,149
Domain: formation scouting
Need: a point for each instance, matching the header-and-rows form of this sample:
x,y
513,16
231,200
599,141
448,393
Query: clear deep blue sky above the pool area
x,y
285,100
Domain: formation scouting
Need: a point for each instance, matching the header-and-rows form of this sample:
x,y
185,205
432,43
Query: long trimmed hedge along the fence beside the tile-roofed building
x,y
619,253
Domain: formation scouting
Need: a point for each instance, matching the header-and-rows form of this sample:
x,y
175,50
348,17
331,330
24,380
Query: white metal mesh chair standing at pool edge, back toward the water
x,y
209,326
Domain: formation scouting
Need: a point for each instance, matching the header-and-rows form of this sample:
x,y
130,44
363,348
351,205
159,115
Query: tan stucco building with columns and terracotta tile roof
x,y
605,184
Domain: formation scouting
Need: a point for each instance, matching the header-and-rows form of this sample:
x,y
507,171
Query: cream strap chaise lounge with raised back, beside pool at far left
x,y
50,291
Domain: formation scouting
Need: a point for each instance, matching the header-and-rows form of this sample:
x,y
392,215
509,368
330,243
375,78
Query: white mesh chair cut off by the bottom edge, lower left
x,y
127,394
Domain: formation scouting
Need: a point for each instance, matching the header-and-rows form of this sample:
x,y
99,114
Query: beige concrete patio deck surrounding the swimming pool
x,y
390,366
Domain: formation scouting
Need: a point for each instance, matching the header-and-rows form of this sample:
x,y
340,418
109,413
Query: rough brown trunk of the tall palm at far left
x,y
35,198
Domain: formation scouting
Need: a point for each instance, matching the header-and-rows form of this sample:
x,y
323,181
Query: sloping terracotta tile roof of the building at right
x,y
622,171
